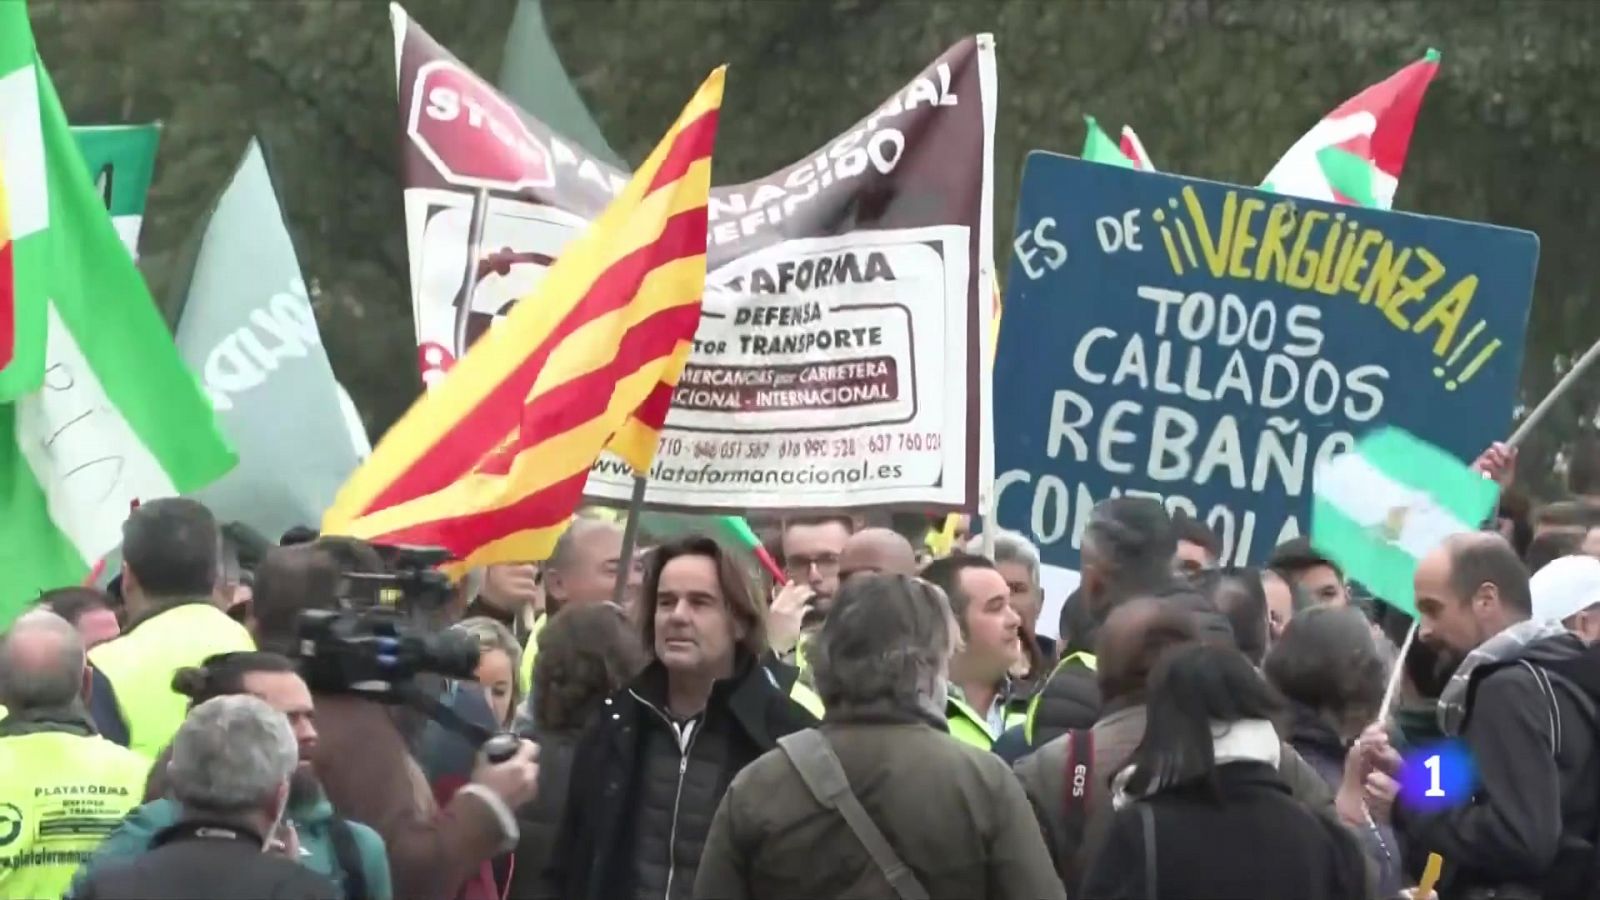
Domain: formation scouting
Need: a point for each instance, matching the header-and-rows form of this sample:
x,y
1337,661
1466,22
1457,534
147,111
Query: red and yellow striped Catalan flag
x,y
494,460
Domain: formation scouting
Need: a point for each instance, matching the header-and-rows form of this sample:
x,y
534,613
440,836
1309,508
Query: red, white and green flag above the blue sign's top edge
x,y
1356,155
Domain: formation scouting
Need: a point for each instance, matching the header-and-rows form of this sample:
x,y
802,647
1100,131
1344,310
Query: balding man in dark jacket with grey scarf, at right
x,y
1519,704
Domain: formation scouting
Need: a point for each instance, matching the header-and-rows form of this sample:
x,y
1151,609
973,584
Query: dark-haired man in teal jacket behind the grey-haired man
x,y
351,854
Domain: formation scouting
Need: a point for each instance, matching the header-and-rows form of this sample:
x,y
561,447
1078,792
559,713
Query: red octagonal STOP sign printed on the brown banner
x,y
471,135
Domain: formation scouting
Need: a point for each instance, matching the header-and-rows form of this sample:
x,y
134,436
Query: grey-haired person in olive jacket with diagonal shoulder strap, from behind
x,y
954,811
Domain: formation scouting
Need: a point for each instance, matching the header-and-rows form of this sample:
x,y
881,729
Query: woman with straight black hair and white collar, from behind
x,y
1201,810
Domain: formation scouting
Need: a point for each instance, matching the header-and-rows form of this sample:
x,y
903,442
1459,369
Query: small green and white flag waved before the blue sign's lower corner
x,y
1388,504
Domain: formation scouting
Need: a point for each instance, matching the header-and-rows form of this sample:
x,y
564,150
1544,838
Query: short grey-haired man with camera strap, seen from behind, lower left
x,y
230,771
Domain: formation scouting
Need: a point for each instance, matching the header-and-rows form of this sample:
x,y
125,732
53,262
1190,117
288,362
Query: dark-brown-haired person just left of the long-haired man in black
x,y
586,654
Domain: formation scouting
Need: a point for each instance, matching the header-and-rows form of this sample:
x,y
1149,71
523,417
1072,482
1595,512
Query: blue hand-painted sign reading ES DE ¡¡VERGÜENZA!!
x,y
1212,345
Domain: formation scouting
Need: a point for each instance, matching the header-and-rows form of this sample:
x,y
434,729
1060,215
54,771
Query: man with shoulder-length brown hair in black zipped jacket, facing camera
x,y
650,774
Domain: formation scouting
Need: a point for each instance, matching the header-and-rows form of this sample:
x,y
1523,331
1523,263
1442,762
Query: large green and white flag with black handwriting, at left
x,y
119,417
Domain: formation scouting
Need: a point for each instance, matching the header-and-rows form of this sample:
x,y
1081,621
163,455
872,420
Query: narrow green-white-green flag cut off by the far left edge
x,y
25,207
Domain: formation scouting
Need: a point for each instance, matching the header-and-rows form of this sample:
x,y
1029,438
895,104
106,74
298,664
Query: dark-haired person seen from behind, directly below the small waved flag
x,y
1334,673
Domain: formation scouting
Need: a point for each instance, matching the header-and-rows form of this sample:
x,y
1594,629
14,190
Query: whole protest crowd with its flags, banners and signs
x,y
695,579
